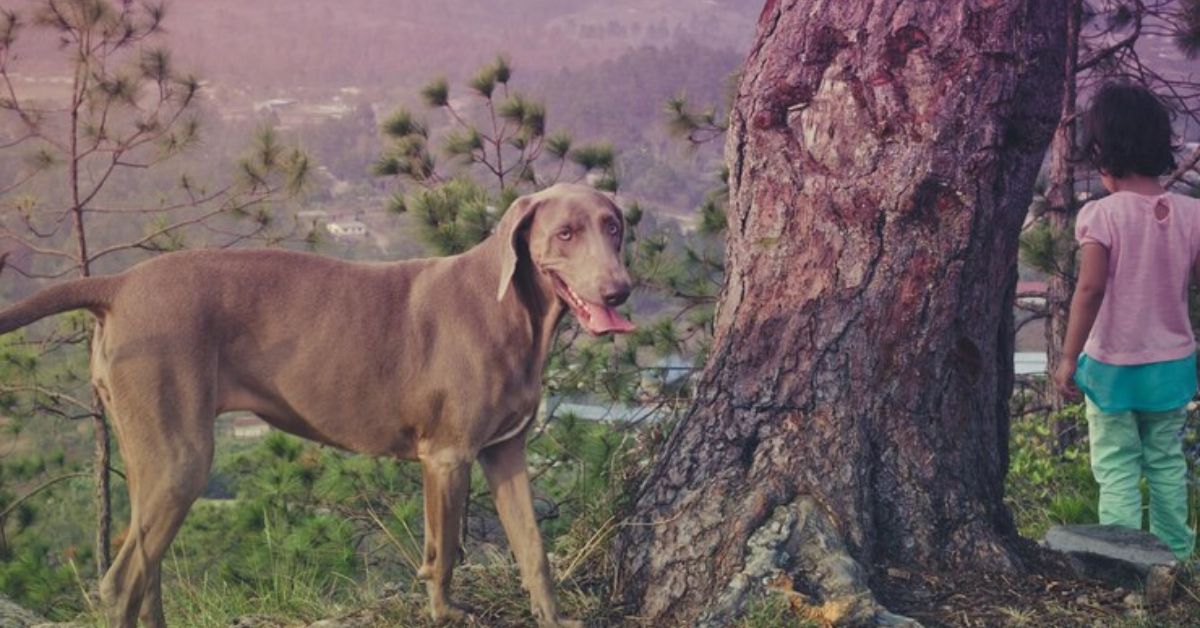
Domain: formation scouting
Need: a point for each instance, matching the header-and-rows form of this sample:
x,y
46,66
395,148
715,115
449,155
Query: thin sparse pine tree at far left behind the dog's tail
x,y
129,112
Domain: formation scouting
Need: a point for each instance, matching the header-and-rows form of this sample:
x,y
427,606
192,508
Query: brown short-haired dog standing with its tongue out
x,y
422,360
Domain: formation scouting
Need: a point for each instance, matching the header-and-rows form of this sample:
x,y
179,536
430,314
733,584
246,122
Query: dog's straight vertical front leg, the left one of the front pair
x,y
447,482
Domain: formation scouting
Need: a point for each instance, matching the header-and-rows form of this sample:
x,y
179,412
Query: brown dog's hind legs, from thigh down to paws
x,y
164,420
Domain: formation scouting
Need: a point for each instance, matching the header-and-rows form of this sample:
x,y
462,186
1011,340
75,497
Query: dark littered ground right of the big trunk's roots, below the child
x,y
1049,596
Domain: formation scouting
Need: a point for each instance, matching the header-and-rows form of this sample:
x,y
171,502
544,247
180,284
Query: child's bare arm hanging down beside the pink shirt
x,y
1094,273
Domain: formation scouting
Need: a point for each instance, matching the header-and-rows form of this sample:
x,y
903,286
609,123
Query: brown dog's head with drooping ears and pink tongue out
x,y
573,235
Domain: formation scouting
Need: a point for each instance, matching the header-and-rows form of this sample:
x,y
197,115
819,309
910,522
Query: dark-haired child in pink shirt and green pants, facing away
x,y
1130,345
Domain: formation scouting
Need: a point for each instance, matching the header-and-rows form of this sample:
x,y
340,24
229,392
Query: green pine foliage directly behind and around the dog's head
x,y
495,145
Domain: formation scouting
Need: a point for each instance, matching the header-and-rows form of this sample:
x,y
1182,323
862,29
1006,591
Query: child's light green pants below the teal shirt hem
x,y
1127,446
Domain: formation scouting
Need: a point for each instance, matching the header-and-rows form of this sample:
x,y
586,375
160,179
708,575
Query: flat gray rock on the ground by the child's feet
x,y
1119,557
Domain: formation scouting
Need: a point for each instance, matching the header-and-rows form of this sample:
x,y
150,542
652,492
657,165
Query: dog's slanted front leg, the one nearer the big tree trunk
x,y
505,465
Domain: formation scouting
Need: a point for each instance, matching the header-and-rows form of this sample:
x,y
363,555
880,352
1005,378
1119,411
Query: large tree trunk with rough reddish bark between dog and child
x,y
883,155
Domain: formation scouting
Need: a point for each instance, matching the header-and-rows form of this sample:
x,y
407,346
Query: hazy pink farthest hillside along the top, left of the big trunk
x,y
268,45
